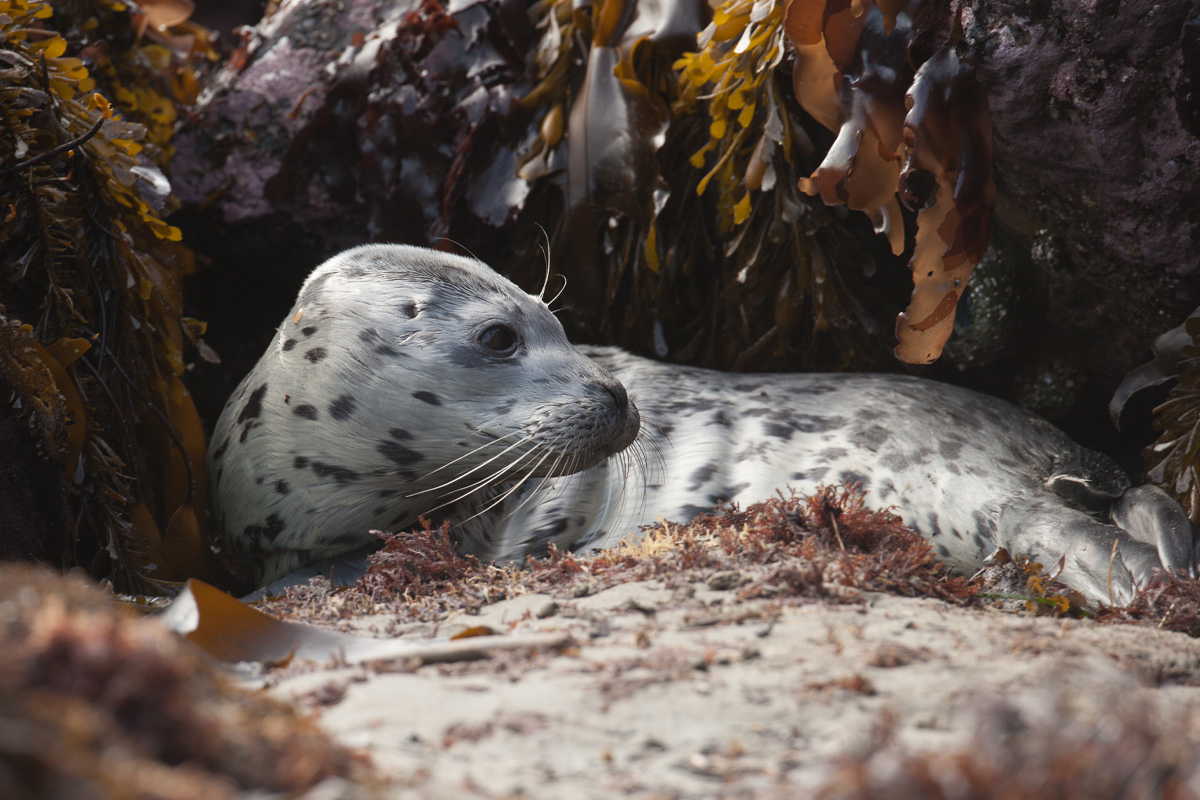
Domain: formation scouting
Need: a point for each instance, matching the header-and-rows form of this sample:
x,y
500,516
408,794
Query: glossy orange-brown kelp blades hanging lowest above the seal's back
x,y
851,75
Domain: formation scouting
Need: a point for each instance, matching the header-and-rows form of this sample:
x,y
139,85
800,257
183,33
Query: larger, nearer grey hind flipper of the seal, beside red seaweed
x,y
1103,563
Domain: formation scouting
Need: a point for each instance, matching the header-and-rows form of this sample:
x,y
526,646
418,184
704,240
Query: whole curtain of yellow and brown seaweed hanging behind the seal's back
x,y
782,275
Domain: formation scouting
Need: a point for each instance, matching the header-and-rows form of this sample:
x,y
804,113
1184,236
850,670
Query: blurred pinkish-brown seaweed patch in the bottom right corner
x,y
1127,753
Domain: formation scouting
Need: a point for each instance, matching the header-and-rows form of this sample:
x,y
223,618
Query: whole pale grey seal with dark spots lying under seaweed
x,y
410,383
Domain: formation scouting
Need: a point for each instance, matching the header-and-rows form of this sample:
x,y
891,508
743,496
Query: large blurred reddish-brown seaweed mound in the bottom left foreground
x,y
99,705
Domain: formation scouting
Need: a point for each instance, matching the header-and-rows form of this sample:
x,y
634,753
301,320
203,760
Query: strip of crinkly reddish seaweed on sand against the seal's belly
x,y
826,546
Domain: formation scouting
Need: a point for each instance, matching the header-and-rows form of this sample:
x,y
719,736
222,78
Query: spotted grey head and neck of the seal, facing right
x,y
404,383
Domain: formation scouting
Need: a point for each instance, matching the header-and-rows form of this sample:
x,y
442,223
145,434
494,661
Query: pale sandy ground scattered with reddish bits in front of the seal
x,y
692,693
